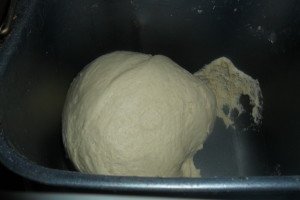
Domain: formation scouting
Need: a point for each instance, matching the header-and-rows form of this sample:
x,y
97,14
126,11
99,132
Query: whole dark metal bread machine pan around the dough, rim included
x,y
52,40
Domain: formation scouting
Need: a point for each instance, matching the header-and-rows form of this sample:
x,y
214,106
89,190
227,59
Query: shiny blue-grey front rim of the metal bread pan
x,y
180,186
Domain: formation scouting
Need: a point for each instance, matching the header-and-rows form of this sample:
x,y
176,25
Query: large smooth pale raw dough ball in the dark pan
x,y
133,114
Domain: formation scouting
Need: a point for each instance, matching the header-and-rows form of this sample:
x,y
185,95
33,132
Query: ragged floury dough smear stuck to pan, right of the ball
x,y
228,85
